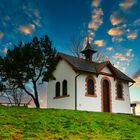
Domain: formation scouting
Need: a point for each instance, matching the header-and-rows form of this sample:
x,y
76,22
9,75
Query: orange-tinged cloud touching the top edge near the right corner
x,y
127,4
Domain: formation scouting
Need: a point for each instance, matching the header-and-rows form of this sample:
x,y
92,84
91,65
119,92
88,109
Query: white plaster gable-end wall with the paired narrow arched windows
x,y
63,72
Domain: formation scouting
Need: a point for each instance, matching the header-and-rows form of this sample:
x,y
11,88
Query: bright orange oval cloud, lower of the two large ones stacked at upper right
x,y
115,31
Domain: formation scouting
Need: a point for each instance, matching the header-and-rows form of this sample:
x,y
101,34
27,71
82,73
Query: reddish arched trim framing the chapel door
x,y
102,95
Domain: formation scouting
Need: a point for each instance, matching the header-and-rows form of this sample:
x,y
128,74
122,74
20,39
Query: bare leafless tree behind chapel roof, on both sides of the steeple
x,y
76,45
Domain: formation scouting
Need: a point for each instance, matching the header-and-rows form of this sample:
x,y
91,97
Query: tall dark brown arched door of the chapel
x,y
106,96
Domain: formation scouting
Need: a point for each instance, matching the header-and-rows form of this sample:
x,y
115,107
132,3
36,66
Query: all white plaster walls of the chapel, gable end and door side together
x,y
65,72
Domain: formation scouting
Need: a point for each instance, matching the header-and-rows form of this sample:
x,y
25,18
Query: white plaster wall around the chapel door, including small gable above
x,y
94,103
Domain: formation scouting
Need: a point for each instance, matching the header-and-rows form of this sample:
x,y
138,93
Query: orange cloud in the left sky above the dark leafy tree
x,y
27,29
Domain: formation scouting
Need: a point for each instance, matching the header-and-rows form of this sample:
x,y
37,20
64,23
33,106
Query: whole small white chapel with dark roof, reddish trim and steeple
x,y
83,84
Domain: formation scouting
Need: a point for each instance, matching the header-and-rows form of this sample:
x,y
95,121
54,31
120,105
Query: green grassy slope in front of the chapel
x,y
53,124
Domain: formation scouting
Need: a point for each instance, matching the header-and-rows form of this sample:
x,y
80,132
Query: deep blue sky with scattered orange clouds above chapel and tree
x,y
112,25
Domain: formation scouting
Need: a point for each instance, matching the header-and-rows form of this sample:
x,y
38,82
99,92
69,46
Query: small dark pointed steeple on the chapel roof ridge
x,y
88,51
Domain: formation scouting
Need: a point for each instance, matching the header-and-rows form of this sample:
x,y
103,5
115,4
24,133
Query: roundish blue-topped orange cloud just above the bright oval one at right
x,y
116,18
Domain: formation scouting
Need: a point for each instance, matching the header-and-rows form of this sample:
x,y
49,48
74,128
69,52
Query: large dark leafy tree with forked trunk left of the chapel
x,y
27,63
